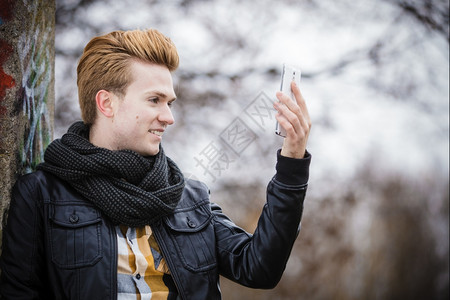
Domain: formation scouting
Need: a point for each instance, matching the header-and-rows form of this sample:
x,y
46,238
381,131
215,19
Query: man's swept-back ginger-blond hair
x,y
105,63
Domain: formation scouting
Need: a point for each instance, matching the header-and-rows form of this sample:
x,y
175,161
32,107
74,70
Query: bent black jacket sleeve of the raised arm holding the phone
x,y
259,260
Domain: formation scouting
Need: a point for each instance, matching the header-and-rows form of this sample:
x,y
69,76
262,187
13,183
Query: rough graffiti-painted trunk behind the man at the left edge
x,y
27,56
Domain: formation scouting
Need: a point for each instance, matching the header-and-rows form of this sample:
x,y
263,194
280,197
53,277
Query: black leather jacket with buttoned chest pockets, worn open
x,y
57,245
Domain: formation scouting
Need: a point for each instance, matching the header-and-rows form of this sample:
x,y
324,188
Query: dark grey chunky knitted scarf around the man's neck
x,y
130,189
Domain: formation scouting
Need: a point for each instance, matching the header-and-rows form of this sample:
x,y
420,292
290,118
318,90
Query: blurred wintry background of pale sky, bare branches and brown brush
x,y
375,74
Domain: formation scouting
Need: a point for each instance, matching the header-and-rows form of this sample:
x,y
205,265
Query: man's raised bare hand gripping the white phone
x,y
293,116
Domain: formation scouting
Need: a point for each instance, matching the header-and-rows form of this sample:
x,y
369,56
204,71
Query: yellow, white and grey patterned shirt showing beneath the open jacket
x,y
142,271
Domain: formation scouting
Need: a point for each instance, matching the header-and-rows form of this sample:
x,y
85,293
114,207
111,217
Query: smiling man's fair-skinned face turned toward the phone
x,y
143,114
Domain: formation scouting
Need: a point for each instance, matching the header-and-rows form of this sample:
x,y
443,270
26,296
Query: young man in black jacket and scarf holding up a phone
x,y
109,216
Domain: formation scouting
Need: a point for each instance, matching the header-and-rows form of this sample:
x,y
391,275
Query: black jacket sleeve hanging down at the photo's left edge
x,y
22,262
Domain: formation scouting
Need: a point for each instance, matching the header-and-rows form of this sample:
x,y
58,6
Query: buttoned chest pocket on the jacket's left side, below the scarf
x,y
74,235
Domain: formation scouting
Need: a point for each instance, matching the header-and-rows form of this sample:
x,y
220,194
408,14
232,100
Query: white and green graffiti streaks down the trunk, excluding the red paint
x,y
34,55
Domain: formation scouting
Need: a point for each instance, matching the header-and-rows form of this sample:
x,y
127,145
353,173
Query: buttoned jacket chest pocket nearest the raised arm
x,y
193,237
